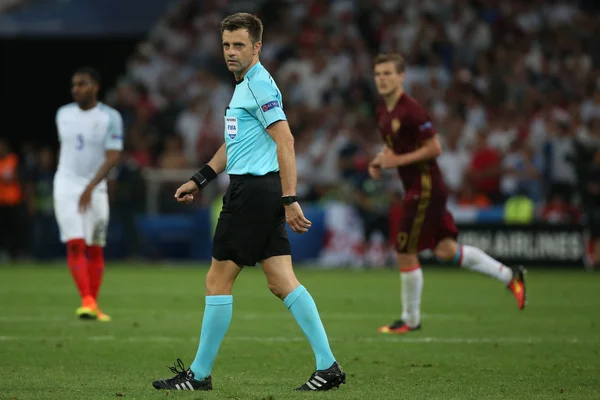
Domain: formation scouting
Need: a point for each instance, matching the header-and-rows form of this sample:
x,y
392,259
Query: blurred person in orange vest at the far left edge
x,y
11,198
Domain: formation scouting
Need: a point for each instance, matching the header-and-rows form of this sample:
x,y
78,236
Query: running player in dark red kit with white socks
x,y
412,146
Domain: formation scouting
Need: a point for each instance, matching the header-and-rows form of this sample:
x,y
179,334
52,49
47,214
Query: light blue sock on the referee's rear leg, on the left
x,y
217,316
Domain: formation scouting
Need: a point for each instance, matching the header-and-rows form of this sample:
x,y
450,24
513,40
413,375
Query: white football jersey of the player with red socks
x,y
84,137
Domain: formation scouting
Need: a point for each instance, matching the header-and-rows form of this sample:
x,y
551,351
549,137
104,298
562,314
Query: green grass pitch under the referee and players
x,y
475,344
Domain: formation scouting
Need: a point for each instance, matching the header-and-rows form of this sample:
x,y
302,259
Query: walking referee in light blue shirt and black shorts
x,y
258,154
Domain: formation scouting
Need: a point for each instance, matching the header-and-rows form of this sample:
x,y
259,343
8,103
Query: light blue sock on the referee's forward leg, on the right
x,y
304,310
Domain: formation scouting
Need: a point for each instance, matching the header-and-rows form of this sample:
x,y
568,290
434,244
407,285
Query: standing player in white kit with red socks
x,y
91,141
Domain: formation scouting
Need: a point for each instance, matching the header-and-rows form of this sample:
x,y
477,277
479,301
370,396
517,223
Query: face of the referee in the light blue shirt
x,y
239,50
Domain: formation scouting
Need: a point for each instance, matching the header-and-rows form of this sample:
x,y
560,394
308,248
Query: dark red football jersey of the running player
x,y
404,129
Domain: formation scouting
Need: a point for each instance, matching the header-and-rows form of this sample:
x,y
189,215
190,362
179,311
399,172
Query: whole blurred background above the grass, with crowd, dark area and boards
x,y
513,88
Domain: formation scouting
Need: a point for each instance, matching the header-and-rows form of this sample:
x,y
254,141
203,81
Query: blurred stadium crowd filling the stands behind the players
x,y
512,87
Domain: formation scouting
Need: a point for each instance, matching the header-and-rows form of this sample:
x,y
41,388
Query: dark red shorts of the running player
x,y
424,222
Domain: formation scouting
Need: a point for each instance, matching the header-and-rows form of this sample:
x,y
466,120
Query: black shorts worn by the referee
x,y
251,226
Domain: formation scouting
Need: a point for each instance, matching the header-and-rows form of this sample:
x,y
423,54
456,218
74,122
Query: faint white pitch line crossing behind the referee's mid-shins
x,y
293,339
